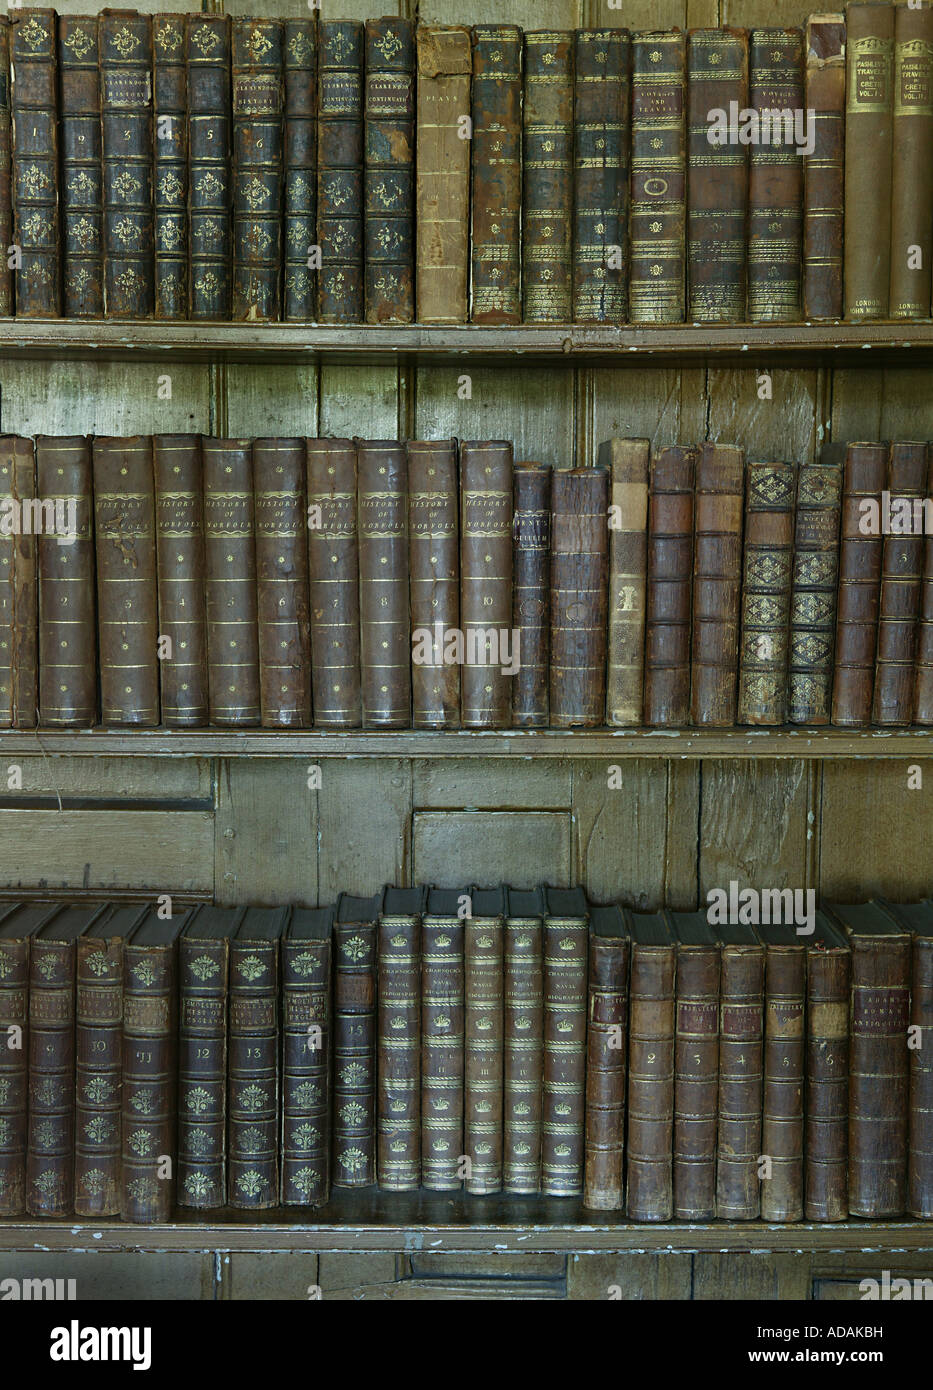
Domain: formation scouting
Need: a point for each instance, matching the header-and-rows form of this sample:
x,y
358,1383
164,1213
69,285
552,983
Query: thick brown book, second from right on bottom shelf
x,y
879,1058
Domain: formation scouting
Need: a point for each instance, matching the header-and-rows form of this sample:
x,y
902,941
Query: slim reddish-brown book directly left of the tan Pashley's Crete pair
x,y
824,167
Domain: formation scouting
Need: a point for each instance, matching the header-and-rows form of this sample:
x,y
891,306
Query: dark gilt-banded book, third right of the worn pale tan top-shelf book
x,y
601,140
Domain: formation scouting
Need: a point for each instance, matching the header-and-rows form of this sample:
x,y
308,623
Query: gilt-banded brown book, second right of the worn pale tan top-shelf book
x,y
547,165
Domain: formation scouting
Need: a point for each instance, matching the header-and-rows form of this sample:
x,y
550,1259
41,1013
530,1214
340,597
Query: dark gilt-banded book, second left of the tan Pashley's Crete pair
x,y
775,179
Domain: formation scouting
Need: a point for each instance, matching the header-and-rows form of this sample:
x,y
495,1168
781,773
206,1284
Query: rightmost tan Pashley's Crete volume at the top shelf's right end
x,y
913,162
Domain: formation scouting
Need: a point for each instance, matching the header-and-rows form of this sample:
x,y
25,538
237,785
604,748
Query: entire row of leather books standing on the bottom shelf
x,y
489,1040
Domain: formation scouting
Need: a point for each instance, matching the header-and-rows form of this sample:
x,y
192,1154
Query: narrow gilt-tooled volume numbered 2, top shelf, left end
x,y
83,280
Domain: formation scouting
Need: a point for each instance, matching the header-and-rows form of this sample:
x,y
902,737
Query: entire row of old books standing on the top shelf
x,y
198,167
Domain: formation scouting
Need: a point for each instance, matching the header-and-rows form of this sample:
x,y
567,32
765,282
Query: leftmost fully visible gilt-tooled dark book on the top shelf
x,y
34,104
